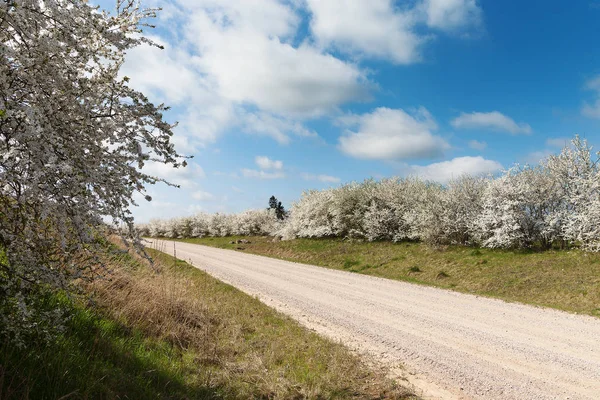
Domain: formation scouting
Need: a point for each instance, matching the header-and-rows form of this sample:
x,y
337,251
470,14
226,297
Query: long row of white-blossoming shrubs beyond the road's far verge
x,y
554,203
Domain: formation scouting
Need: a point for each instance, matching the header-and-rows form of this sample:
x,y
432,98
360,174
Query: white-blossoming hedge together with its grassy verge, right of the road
x,y
531,234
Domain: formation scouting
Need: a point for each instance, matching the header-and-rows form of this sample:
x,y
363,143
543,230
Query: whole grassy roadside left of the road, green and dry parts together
x,y
169,331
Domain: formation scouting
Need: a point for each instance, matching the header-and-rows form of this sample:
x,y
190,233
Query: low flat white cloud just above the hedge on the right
x,y
445,171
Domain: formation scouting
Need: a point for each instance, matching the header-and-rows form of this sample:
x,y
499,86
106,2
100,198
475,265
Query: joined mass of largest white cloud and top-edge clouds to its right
x,y
236,64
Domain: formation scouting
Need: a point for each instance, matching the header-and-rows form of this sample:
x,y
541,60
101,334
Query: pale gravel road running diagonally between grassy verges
x,y
450,345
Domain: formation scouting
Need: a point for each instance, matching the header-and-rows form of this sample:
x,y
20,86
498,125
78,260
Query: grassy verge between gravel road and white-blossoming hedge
x,y
567,280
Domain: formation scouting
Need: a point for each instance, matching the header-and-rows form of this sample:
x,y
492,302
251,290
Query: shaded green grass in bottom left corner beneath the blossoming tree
x,y
98,357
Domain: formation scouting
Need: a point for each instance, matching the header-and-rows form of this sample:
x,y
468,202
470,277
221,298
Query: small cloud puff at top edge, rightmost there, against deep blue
x,y
451,15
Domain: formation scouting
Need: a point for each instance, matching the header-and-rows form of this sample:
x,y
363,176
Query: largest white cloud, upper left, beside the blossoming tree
x,y
229,64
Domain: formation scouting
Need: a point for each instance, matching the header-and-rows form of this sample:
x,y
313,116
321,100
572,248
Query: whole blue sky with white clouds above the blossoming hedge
x,y
277,97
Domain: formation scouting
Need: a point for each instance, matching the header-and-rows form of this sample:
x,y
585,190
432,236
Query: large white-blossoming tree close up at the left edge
x,y
73,139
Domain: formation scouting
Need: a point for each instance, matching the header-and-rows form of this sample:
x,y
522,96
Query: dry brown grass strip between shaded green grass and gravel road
x,y
240,347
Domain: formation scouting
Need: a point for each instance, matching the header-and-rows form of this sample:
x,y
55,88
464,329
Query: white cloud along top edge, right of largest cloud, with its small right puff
x,y
382,29
